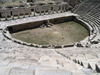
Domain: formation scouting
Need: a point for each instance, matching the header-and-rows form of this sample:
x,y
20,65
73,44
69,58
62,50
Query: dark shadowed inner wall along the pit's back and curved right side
x,y
31,25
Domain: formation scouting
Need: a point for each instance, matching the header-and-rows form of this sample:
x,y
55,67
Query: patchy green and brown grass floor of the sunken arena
x,y
63,33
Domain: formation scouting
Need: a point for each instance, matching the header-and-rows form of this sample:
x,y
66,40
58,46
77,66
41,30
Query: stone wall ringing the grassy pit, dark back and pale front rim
x,y
16,28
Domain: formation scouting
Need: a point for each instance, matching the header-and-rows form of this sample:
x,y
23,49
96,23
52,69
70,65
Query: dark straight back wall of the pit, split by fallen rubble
x,y
31,25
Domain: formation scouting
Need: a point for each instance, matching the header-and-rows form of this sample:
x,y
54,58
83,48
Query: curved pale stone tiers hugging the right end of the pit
x,y
93,32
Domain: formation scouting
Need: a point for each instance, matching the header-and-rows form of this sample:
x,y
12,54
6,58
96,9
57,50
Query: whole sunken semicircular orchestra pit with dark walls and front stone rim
x,y
54,33
